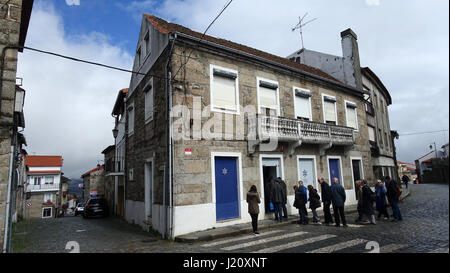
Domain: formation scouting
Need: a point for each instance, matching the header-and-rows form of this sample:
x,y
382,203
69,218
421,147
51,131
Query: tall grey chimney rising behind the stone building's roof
x,y
350,52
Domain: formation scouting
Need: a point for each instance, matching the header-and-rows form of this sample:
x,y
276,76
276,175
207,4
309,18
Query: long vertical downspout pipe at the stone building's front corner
x,y
169,146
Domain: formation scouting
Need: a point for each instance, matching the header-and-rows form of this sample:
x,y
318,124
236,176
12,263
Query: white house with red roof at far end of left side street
x,y
43,185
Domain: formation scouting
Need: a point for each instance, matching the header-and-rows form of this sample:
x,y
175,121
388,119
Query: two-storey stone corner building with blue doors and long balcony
x,y
238,117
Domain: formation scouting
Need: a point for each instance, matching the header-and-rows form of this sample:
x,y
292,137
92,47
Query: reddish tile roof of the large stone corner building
x,y
166,27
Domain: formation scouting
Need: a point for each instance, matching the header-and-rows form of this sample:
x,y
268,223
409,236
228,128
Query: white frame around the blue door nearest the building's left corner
x,y
240,186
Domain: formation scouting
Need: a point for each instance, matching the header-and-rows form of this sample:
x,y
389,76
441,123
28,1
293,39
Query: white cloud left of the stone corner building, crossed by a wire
x,y
68,104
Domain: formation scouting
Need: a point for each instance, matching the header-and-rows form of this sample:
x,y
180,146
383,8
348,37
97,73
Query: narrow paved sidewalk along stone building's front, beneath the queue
x,y
245,228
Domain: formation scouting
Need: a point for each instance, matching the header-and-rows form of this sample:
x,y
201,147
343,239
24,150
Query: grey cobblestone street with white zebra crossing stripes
x,y
425,228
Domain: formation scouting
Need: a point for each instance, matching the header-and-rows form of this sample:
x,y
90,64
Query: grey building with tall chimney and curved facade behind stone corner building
x,y
348,70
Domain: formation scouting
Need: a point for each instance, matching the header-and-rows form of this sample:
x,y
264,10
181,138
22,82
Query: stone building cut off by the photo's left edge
x,y
14,20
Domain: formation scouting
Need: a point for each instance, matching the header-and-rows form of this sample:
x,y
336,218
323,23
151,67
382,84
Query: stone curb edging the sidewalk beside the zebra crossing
x,y
247,230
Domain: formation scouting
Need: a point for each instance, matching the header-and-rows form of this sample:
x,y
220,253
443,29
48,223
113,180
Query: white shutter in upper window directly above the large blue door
x,y
224,93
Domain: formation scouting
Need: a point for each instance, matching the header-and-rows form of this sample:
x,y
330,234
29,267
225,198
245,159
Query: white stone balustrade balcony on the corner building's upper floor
x,y
297,132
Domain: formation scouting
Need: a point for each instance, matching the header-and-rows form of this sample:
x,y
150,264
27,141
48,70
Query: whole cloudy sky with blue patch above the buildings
x,y
68,105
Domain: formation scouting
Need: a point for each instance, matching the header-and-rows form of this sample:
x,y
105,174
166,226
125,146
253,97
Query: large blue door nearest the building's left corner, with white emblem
x,y
226,176
